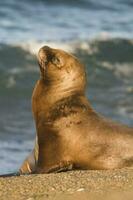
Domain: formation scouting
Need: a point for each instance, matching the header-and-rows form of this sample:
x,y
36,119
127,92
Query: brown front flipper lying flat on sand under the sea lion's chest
x,y
61,167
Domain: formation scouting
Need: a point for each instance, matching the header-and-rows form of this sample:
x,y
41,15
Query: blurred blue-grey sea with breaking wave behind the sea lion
x,y
100,33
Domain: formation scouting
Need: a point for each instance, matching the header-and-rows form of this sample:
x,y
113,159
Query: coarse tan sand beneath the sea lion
x,y
79,185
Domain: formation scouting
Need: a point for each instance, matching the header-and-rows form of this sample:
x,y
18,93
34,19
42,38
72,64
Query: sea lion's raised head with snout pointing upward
x,y
61,69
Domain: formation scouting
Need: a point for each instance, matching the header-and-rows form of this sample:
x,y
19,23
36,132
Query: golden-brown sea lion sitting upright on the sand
x,y
70,133
